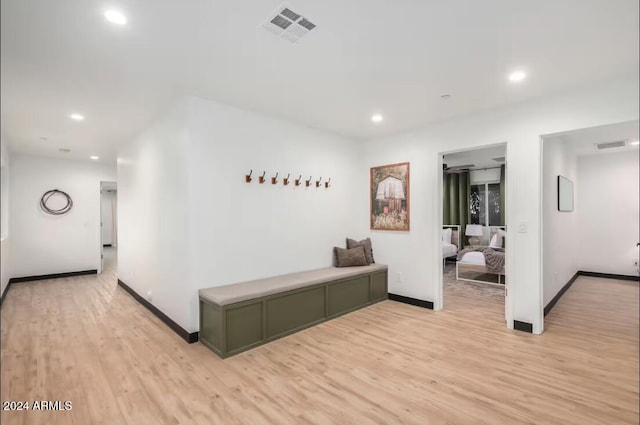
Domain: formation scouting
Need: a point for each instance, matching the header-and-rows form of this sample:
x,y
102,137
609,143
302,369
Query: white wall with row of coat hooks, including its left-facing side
x,y
188,220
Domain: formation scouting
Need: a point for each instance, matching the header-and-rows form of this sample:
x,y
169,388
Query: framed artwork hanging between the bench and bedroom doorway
x,y
389,195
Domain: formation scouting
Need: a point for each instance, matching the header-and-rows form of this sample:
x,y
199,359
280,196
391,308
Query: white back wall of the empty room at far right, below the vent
x,y
608,212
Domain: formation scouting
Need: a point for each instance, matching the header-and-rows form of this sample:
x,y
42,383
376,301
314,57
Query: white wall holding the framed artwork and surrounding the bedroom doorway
x,y
417,253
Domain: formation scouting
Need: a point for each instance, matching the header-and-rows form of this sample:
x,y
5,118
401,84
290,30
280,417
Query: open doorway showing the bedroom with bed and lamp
x,y
473,231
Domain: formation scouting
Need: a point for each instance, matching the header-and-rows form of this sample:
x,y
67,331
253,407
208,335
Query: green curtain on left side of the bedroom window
x,y
456,193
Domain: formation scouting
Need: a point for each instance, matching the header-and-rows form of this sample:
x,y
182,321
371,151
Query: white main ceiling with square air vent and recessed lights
x,y
365,56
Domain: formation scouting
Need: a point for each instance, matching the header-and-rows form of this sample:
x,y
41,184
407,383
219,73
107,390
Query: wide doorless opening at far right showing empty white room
x,y
590,207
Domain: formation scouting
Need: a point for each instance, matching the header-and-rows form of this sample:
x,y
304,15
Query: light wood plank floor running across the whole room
x,y
85,340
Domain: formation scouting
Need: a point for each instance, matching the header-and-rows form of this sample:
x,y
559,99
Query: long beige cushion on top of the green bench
x,y
229,294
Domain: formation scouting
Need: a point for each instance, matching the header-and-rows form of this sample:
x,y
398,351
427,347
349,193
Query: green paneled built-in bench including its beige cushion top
x,y
235,318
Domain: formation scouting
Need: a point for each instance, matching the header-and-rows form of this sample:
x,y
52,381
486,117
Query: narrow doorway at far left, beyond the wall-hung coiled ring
x,y
108,226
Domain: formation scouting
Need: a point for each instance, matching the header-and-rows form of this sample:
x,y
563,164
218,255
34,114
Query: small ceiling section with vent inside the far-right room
x,y
583,141
